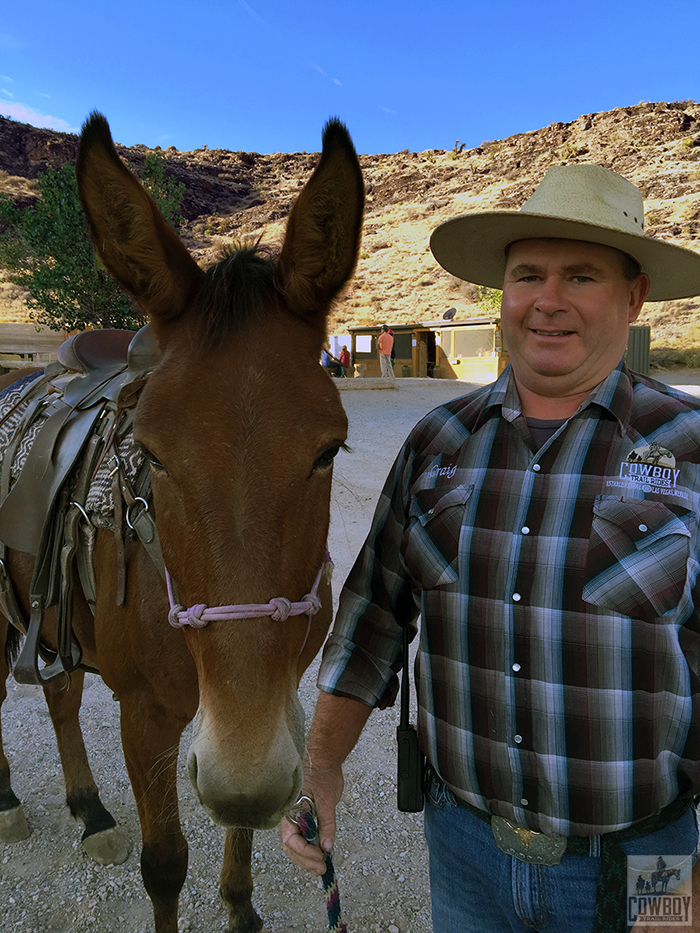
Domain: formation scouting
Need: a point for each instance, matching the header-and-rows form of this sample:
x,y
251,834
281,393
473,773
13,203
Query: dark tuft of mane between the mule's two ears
x,y
234,290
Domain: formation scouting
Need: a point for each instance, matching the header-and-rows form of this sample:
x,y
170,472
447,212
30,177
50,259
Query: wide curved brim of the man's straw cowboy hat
x,y
473,247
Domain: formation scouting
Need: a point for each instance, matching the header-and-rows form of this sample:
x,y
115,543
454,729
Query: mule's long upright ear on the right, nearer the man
x,y
324,228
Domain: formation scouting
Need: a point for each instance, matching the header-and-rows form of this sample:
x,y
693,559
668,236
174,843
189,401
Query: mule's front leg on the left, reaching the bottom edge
x,y
151,739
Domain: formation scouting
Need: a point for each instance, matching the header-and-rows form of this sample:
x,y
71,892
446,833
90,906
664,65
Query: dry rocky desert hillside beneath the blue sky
x,y
237,195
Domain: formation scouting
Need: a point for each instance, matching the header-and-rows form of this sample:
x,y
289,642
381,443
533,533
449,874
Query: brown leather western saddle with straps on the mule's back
x,y
83,407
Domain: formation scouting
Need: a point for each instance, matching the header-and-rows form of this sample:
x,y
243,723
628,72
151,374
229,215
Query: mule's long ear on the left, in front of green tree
x,y
130,235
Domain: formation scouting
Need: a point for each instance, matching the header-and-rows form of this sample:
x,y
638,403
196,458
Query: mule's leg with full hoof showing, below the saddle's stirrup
x,y
101,839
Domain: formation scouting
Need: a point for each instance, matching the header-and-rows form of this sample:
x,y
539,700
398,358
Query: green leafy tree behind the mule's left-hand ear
x,y
46,249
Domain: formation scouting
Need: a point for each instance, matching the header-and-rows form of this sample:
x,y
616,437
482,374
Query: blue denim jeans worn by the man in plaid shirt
x,y
476,888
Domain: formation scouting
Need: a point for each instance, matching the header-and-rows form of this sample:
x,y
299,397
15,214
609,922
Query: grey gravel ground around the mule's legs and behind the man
x,y
48,884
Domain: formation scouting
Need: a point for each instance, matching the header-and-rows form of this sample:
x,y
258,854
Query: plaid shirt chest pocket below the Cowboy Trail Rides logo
x,y
638,556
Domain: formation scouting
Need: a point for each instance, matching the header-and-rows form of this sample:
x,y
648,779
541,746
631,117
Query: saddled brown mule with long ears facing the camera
x,y
241,446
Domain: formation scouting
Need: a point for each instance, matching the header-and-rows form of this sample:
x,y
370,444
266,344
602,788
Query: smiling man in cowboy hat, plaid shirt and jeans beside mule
x,y
545,527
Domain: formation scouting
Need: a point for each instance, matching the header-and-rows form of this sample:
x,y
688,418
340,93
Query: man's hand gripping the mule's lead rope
x,y
325,788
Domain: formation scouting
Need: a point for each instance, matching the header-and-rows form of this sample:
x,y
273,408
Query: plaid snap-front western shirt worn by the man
x,y
559,651
